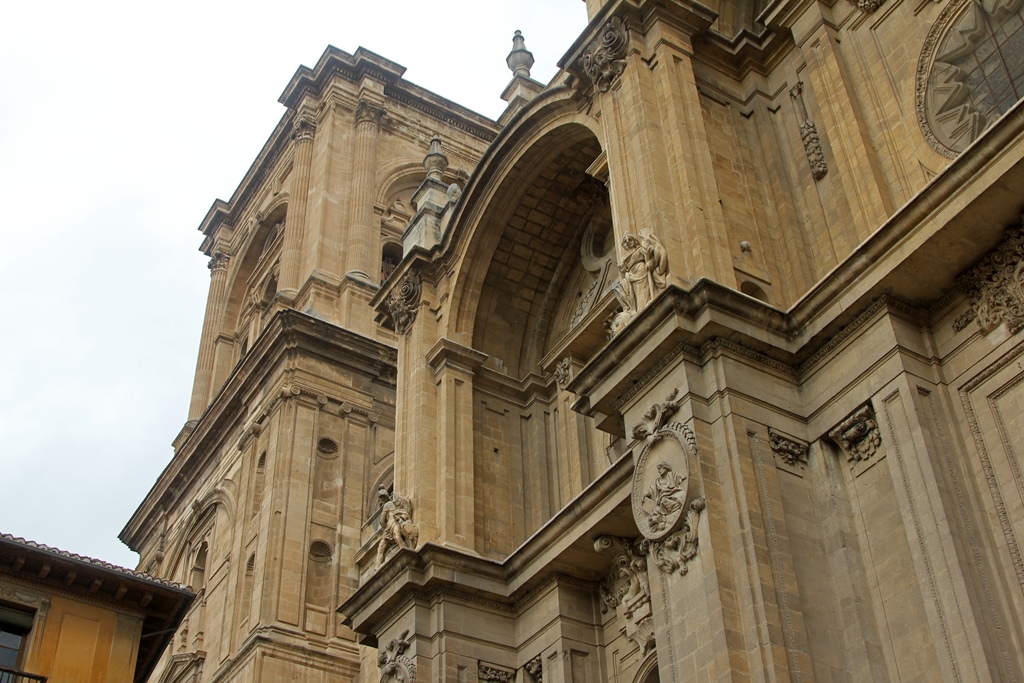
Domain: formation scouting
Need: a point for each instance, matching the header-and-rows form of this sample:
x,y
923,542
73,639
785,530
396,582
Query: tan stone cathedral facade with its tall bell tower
x,y
702,364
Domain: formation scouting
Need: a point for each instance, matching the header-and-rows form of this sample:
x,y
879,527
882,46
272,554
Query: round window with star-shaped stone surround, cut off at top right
x,y
971,72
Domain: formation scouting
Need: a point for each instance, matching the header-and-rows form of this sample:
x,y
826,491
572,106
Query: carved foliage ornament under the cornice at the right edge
x,y
996,287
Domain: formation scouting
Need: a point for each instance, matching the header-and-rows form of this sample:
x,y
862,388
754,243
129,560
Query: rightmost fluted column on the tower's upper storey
x,y
361,261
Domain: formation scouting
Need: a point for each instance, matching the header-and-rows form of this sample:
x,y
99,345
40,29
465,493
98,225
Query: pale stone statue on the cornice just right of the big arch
x,y
644,273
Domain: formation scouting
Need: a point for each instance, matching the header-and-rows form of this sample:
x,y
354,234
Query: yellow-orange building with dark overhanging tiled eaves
x,y
70,619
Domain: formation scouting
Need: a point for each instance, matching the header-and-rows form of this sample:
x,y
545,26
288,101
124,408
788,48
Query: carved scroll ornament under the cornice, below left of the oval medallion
x,y
627,589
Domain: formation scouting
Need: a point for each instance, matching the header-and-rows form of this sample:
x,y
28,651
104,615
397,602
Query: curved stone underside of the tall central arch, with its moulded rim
x,y
522,198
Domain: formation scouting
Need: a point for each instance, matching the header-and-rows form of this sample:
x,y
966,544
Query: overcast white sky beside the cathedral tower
x,y
120,124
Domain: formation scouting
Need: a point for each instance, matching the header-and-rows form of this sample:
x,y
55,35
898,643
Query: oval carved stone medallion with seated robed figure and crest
x,y
662,488
